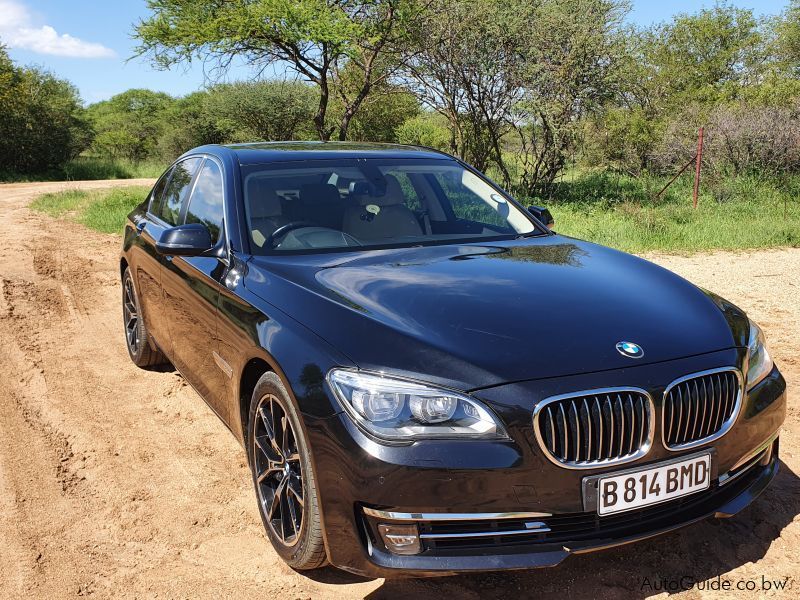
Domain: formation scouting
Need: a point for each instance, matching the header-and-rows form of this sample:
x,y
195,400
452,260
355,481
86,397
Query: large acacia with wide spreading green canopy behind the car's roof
x,y
314,38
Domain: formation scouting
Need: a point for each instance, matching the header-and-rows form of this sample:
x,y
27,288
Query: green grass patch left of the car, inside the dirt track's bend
x,y
102,210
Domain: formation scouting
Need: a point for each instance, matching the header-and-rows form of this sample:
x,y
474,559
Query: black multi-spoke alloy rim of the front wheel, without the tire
x,y
278,468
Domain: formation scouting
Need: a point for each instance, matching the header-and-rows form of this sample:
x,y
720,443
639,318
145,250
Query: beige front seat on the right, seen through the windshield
x,y
393,219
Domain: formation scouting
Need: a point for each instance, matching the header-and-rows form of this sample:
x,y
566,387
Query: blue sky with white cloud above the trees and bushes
x,y
89,42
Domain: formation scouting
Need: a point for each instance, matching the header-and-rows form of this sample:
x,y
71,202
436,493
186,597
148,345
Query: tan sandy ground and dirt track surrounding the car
x,y
121,482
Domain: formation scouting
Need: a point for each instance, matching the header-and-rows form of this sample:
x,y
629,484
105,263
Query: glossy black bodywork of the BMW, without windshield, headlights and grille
x,y
458,315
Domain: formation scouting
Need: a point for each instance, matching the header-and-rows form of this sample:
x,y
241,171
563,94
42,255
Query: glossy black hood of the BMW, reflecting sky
x,y
475,315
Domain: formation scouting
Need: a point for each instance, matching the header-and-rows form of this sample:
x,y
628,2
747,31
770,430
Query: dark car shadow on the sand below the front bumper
x,y
700,552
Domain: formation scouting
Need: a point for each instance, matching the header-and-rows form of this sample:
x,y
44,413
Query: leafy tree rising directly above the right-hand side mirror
x,y
571,68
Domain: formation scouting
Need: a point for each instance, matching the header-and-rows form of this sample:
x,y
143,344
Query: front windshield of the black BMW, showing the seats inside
x,y
362,203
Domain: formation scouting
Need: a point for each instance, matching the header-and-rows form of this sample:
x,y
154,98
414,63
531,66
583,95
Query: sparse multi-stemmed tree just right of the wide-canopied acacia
x,y
463,63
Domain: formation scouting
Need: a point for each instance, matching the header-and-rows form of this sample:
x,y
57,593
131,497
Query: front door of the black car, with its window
x,y
191,288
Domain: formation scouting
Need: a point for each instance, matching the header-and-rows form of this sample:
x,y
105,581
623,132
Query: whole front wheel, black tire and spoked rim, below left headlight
x,y
283,462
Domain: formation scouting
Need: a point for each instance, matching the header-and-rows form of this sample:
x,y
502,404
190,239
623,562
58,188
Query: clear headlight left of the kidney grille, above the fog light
x,y
398,410
